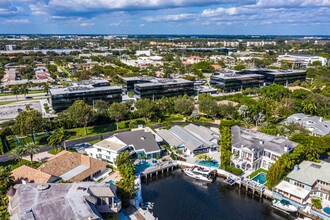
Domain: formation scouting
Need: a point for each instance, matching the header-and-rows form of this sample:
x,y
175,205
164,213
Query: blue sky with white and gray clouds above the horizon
x,y
223,17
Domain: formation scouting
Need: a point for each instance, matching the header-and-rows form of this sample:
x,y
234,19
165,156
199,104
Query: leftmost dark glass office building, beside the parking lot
x,y
62,98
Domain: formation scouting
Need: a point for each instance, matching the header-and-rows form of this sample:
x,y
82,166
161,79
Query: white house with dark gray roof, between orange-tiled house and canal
x,y
139,143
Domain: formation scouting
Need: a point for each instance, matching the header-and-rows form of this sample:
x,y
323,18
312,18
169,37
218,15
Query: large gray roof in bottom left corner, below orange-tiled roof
x,y
58,201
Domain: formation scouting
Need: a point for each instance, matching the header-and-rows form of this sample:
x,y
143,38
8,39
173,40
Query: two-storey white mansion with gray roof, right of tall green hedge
x,y
253,150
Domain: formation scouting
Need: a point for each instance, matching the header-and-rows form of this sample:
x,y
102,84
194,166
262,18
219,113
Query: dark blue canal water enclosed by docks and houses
x,y
177,196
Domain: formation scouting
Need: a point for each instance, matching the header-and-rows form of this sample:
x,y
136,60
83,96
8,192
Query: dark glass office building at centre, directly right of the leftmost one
x,y
159,88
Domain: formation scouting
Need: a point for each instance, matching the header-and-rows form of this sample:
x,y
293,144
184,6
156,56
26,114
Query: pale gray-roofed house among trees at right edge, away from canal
x,y
316,125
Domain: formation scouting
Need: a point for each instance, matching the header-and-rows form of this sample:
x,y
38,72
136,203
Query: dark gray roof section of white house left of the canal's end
x,y
140,139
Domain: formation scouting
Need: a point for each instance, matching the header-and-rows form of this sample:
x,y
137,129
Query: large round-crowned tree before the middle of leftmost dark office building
x,y
81,114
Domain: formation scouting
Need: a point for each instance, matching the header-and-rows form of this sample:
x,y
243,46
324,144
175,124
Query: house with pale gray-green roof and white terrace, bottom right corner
x,y
308,180
